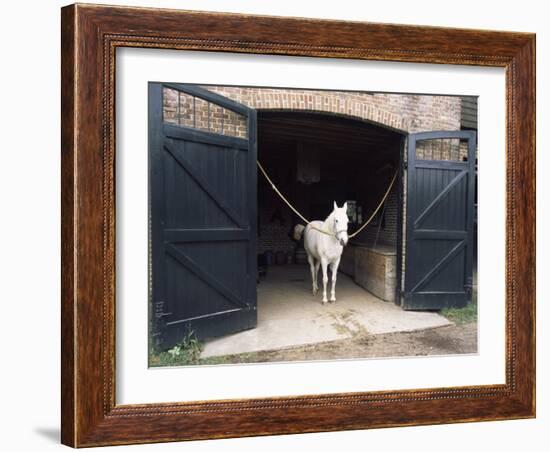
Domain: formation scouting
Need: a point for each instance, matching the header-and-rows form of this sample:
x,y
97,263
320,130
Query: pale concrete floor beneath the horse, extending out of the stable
x,y
289,315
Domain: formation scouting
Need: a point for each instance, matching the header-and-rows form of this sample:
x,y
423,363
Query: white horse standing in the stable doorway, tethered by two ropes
x,y
325,249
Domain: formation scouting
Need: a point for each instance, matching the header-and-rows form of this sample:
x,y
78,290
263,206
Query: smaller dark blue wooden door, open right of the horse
x,y
440,219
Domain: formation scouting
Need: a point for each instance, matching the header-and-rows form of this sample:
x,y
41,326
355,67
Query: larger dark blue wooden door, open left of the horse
x,y
202,179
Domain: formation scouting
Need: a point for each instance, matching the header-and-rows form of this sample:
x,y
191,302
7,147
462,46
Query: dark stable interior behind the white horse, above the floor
x,y
315,159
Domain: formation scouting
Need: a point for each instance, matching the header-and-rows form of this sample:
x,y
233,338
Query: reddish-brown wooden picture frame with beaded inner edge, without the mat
x,y
90,36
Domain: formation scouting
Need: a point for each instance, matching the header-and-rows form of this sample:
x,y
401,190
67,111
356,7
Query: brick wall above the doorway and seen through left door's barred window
x,y
410,113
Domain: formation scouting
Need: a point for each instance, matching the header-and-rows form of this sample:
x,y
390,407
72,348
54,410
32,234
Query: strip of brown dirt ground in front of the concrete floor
x,y
453,339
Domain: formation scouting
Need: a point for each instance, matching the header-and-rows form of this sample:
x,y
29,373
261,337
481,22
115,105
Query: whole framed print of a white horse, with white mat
x,y
255,208
